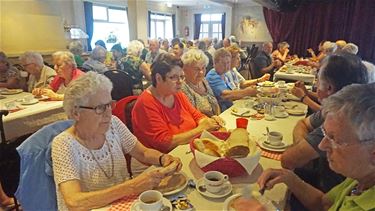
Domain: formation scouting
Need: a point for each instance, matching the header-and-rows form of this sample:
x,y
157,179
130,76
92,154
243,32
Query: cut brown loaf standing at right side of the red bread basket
x,y
238,144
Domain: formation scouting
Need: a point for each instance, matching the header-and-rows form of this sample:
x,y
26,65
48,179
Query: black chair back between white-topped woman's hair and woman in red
x,y
122,84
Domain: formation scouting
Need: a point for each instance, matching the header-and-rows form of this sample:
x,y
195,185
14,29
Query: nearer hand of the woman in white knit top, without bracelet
x,y
147,180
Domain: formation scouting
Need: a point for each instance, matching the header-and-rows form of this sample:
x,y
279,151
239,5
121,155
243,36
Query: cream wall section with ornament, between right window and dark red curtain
x,y
258,34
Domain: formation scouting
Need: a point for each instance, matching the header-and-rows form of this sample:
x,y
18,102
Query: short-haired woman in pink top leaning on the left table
x,y
67,71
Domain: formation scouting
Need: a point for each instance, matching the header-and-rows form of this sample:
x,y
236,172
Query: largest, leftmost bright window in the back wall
x,y
110,25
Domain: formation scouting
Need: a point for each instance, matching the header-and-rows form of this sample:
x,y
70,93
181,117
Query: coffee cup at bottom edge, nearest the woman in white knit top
x,y
150,200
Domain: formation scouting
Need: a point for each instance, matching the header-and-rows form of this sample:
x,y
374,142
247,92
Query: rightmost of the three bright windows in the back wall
x,y
211,26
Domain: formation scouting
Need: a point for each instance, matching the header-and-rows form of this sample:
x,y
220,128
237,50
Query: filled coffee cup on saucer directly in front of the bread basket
x,y
214,181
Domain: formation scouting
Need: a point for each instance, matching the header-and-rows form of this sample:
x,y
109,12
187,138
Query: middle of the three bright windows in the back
x,y
161,26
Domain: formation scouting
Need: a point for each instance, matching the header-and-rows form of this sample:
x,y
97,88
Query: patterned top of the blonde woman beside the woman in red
x,y
205,103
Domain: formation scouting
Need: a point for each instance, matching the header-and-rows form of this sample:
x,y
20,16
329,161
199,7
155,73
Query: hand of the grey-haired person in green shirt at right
x,y
271,177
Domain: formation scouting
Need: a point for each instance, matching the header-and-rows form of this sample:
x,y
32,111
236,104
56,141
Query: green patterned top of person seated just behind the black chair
x,y
130,64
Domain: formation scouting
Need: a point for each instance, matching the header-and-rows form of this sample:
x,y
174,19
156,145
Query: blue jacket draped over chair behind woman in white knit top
x,y
36,189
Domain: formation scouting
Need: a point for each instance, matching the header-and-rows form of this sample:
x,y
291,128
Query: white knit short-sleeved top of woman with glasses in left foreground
x,y
73,161
